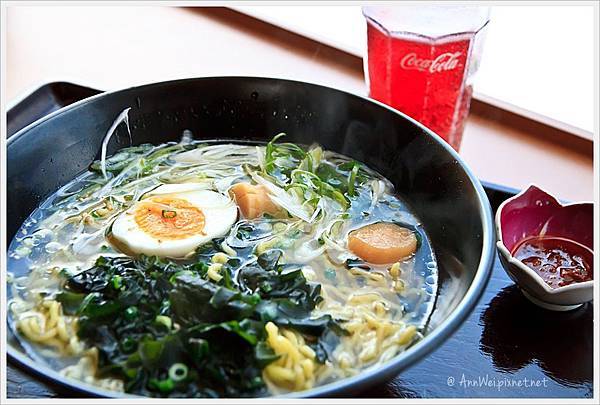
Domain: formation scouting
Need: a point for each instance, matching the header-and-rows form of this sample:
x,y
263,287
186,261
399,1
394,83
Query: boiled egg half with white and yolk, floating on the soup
x,y
173,220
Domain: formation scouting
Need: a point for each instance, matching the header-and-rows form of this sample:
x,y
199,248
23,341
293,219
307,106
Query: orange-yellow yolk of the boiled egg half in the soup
x,y
169,218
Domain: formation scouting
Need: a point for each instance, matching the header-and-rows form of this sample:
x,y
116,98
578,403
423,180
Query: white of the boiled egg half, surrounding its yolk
x,y
220,213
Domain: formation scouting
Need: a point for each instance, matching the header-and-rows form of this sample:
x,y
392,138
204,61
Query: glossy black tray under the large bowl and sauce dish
x,y
506,348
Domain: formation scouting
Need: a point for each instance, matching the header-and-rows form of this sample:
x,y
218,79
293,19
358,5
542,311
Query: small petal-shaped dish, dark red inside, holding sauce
x,y
547,248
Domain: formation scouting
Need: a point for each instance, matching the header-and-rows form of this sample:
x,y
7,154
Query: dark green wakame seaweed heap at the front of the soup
x,y
150,316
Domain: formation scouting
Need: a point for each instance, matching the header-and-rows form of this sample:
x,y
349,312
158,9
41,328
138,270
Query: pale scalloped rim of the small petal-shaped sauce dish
x,y
519,264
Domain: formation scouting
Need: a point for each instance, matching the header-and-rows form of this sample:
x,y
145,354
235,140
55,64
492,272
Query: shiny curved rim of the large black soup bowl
x,y
366,377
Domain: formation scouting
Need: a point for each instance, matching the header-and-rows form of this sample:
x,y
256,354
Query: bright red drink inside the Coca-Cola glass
x,y
425,77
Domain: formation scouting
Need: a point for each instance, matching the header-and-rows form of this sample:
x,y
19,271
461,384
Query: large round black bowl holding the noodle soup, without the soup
x,y
426,172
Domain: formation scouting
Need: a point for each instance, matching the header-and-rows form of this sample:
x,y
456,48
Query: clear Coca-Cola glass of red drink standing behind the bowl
x,y
421,61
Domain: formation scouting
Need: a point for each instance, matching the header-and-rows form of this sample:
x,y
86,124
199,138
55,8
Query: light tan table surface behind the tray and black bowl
x,y
109,47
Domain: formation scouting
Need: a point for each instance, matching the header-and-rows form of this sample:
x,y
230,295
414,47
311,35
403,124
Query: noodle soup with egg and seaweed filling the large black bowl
x,y
221,270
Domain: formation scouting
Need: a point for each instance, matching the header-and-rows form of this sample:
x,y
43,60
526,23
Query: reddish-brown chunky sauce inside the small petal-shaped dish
x,y
558,261
